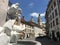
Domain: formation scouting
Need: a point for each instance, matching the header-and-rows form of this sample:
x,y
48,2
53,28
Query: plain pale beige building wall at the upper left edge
x,y
3,11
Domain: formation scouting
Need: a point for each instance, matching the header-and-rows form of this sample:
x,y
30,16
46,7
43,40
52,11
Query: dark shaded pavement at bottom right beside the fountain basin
x,y
46,41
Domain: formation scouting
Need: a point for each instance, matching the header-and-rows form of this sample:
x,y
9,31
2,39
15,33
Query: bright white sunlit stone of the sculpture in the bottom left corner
x,y
4,39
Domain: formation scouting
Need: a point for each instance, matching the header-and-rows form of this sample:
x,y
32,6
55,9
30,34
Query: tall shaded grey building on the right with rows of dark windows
x,y
53,19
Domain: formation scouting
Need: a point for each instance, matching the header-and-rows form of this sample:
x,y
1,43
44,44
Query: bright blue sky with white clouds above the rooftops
x,y
32,8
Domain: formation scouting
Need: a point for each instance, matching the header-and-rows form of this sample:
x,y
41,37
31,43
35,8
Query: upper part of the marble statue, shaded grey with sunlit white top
x,y
13,11
